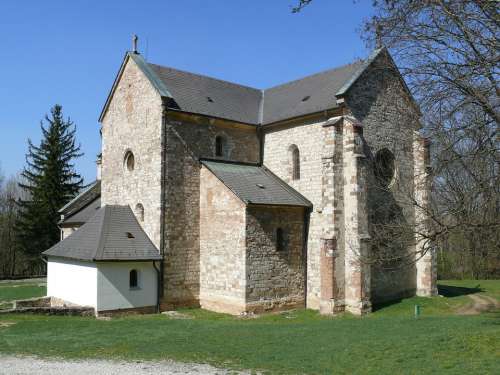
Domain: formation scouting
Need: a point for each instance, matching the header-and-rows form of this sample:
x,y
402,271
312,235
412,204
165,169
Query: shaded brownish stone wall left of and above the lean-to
x,y
188,139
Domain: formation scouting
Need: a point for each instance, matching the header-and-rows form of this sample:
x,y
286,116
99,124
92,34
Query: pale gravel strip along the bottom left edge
x,y
14,365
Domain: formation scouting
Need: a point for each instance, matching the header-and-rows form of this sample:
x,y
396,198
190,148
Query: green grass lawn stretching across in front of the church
x,y
390,340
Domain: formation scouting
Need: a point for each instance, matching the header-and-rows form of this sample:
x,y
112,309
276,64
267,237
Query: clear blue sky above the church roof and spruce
x,y
68,52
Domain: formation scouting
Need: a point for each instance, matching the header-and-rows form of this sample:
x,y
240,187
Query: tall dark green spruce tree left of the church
x,y
50,181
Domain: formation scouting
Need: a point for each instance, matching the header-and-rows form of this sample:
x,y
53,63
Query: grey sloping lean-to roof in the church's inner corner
x,y
255,184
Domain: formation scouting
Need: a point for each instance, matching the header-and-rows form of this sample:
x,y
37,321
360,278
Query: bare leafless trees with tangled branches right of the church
x,y
448,54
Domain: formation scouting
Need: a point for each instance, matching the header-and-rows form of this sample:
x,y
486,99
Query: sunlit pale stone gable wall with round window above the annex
x,y
133,123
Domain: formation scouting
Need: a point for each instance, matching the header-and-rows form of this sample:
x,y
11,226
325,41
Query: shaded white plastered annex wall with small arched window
x,y
113,285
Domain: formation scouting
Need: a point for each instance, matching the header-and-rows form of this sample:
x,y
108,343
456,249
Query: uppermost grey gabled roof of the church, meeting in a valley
x,y
195,93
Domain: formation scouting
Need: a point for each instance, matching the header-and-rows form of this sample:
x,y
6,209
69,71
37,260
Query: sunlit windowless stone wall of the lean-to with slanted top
x,y
222,247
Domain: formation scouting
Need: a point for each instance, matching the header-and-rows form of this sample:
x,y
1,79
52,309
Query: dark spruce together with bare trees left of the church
x,y
29,201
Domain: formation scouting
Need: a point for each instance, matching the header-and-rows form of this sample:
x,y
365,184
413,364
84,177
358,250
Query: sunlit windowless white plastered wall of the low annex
x,y
72,281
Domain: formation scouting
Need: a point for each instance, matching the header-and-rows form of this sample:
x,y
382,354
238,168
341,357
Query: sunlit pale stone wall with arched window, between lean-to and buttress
x,y
309,138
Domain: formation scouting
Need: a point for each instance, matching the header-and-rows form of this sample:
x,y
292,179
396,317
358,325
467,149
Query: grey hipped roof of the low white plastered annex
x,y
113,233
